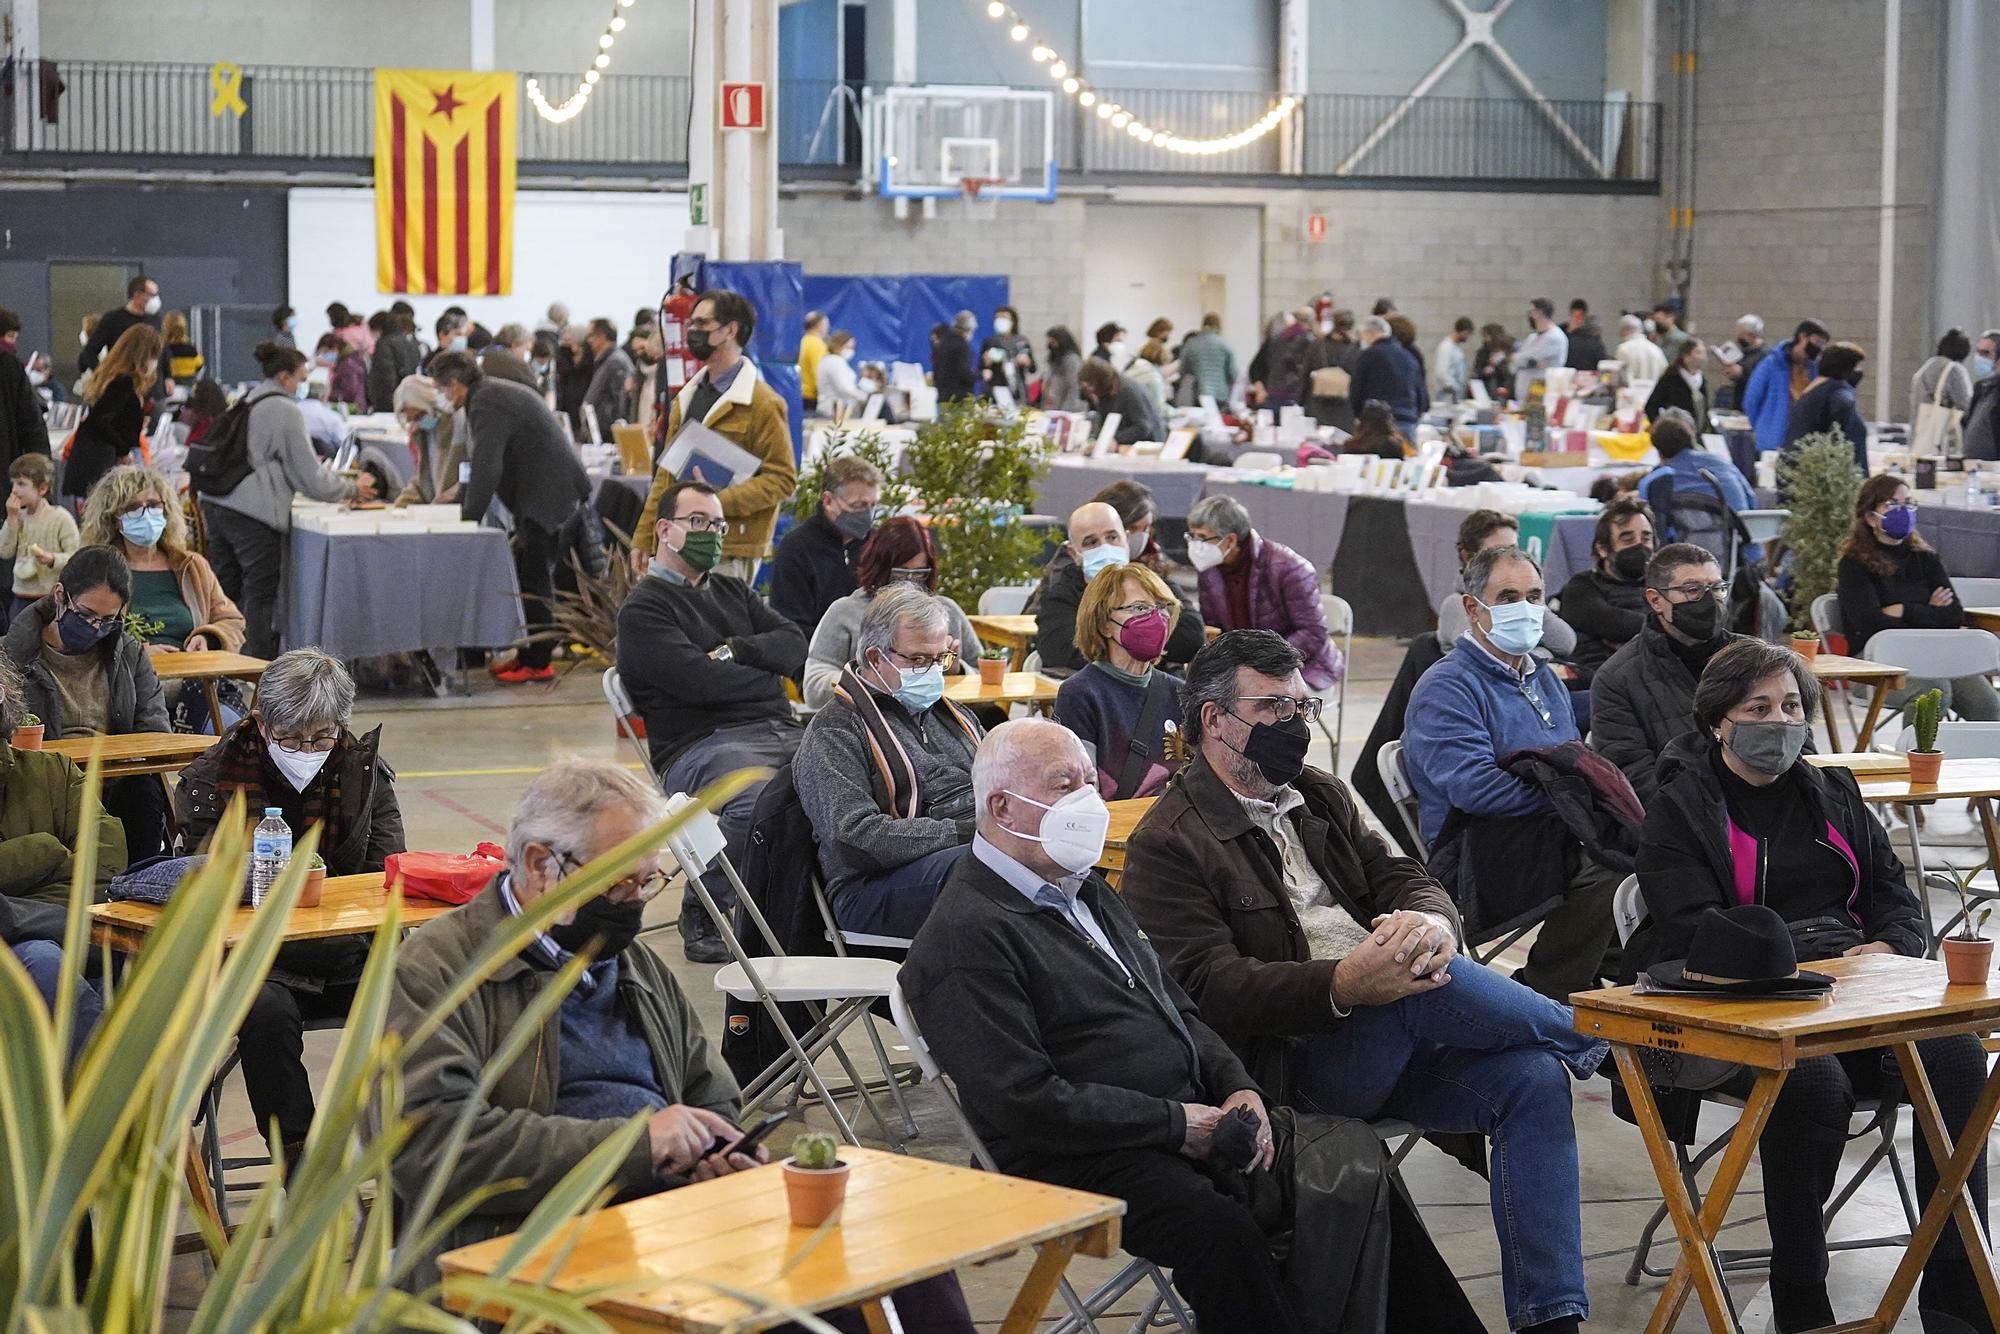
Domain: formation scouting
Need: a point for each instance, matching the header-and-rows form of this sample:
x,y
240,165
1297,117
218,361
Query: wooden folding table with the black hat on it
x,y
1879,1001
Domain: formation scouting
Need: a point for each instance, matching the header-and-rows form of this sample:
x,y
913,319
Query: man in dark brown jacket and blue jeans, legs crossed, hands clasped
x,y
1329,963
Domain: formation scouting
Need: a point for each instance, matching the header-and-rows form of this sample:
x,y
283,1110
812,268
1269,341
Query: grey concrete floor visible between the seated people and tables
x,y
463,763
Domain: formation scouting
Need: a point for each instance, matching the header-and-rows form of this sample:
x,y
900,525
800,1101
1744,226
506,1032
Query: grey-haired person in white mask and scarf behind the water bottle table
x,y
295,753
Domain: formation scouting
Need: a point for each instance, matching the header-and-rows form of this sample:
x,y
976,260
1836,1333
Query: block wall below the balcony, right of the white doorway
x,y
1443,255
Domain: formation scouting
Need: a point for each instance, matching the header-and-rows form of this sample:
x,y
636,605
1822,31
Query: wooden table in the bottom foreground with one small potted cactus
x,y
675,1255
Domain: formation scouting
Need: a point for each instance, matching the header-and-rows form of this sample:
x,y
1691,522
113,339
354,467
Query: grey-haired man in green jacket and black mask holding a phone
x,y
625,1043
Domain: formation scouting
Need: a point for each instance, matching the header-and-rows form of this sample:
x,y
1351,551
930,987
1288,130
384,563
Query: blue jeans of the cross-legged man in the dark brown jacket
x,y
1487,1055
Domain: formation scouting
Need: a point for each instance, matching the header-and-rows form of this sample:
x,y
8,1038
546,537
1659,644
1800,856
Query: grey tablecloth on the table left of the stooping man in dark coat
x,y
363,597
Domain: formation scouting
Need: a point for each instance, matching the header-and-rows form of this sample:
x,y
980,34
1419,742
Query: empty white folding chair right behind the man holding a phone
x,y
835,991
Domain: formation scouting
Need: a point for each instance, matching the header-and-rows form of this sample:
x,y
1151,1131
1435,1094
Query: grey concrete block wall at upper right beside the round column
x,y
1789,175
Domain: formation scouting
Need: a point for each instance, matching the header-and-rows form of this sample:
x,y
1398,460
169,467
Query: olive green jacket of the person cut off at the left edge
x,y
41,819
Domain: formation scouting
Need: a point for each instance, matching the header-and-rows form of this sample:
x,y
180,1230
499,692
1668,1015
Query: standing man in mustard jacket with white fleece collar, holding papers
x,y
733,401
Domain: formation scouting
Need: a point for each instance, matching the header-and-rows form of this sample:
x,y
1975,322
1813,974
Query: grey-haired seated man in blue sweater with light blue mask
x,y
1487,701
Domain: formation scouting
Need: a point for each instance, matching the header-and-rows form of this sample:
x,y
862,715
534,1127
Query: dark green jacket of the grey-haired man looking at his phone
x,y
519,1133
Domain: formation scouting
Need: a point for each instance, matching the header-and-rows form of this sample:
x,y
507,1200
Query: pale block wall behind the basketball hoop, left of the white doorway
x,y
1039,247
